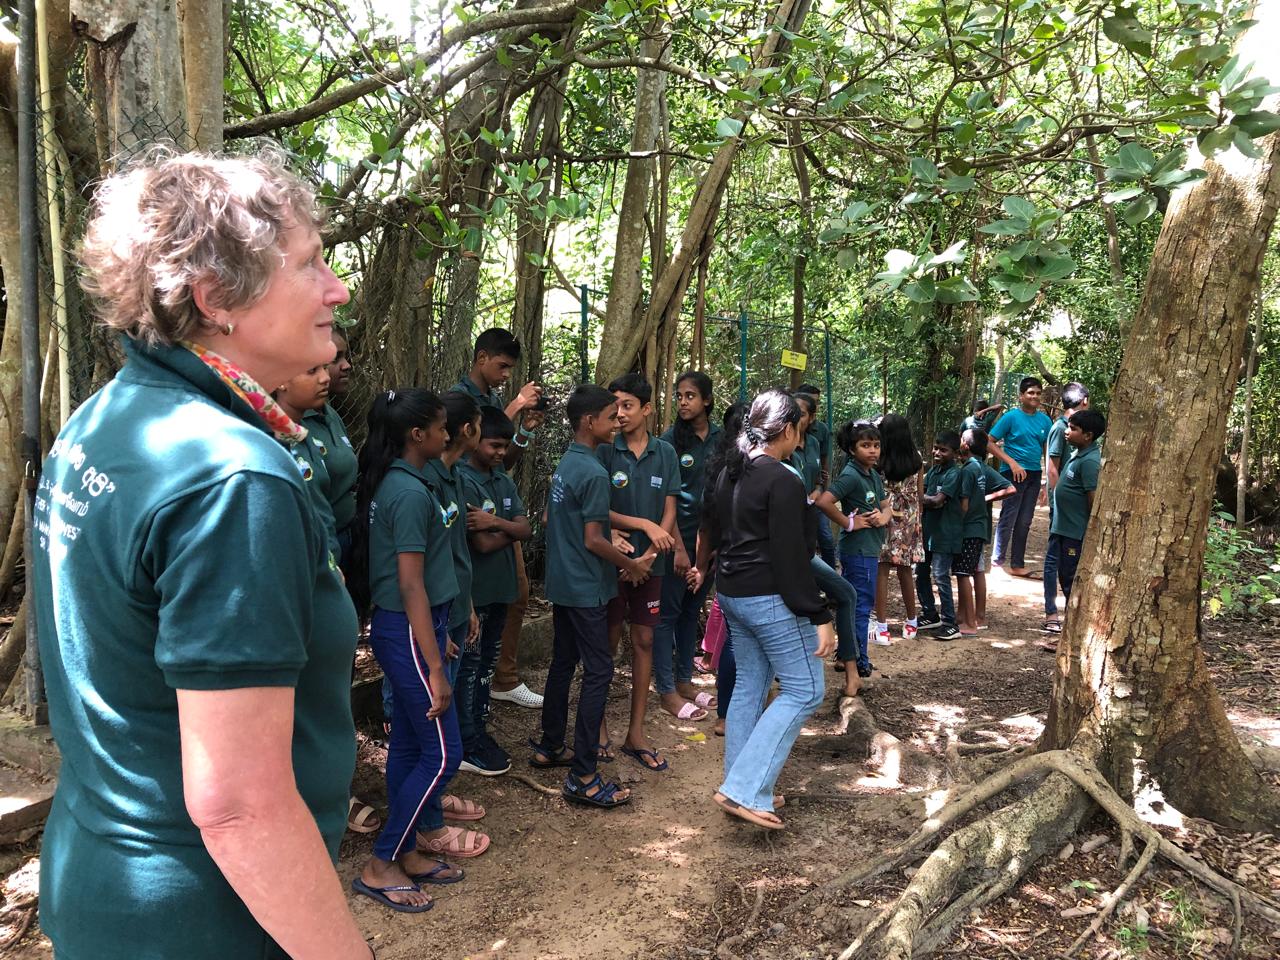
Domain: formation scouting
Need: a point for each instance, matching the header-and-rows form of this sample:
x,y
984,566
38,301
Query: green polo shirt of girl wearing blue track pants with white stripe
x,y
405,518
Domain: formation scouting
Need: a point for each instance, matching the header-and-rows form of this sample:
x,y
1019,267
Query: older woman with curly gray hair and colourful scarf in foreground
x,y
195,633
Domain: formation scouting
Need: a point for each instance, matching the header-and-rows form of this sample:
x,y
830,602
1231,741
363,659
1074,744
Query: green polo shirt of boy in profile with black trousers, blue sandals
x,y
579,496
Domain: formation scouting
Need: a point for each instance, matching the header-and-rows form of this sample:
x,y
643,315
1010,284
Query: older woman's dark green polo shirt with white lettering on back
x,y
176,548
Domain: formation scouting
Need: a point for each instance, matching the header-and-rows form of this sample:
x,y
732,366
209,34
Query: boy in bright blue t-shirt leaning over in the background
x,y
1021,437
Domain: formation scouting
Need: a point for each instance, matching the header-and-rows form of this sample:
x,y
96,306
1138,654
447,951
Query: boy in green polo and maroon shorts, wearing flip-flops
x,y
644,486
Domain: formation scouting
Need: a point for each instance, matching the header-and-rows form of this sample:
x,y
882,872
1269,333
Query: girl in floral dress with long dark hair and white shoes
x,y
902,468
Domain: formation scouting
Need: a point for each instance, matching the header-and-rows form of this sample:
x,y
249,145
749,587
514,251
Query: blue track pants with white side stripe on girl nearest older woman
x,y
424,755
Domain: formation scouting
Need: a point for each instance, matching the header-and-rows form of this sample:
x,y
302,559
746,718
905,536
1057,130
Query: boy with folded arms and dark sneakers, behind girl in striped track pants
x,y
496,523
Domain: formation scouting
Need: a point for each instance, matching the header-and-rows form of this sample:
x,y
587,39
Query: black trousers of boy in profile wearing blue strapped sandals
x,y
582,634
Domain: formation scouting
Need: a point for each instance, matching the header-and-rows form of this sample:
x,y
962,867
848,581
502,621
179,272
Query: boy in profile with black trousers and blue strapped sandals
x,y
580,583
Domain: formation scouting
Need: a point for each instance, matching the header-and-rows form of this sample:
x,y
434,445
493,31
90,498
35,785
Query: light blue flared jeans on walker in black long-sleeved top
x,y
769,642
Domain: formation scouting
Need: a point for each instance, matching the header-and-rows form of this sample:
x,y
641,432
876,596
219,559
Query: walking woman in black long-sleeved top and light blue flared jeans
x,y
765,537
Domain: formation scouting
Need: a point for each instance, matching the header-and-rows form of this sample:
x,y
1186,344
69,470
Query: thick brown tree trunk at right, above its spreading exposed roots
x,y
1131,669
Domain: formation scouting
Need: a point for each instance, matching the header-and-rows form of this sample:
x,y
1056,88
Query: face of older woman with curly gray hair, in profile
x,y
291,326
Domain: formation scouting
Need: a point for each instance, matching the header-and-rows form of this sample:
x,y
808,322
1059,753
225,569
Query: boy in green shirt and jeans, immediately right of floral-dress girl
x,y
943,524
